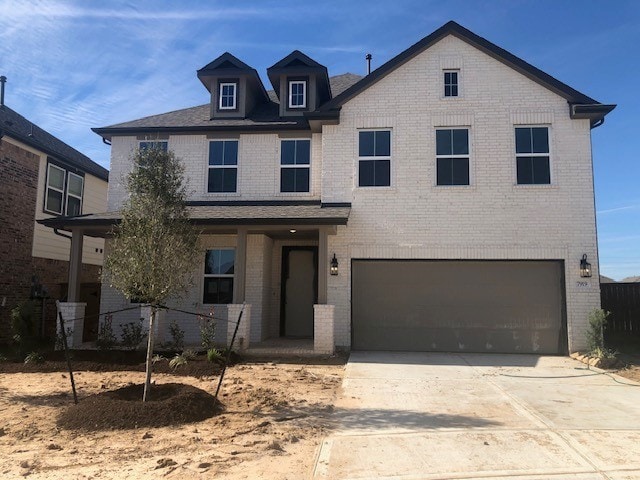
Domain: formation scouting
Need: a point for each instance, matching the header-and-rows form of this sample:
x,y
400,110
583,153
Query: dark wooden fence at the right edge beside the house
x,y
623,301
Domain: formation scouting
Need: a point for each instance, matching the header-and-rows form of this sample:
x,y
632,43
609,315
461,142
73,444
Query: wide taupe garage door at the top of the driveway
x,y
471,306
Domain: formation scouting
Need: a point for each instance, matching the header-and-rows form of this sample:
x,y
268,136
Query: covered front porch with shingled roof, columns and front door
x,y
268,259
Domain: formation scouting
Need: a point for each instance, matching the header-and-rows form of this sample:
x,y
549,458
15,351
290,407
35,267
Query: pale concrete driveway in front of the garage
x,y
446,416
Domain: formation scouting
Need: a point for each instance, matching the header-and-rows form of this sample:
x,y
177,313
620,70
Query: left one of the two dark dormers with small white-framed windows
x,y
235,87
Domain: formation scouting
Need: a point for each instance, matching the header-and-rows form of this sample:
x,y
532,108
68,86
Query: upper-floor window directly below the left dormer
x,y
223,166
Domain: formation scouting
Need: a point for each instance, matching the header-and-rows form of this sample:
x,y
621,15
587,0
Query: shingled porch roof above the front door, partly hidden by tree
x,y
217,215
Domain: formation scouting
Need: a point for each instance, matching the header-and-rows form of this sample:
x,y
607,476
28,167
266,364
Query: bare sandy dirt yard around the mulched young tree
x,y
273,417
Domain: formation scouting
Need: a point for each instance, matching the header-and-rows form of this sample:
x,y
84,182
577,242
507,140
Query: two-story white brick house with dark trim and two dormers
x,y
443,202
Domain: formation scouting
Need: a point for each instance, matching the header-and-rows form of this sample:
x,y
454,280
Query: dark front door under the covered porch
x,y
299,291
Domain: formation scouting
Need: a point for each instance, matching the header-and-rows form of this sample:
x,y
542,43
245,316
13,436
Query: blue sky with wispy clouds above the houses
x,y
76,65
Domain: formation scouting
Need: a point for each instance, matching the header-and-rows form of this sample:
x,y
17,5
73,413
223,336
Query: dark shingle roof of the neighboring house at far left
x,y
16,126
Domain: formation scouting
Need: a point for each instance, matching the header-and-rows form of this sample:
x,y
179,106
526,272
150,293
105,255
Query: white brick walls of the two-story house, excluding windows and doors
x,y
493,218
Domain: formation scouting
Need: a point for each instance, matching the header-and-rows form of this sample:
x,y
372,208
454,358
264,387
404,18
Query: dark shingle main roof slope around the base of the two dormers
x,y
265,116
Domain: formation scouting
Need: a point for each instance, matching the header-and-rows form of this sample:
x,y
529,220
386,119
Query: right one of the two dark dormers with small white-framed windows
x,y
301,84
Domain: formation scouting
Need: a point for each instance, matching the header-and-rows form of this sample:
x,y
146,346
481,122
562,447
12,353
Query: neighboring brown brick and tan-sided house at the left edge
x,y
43,177
